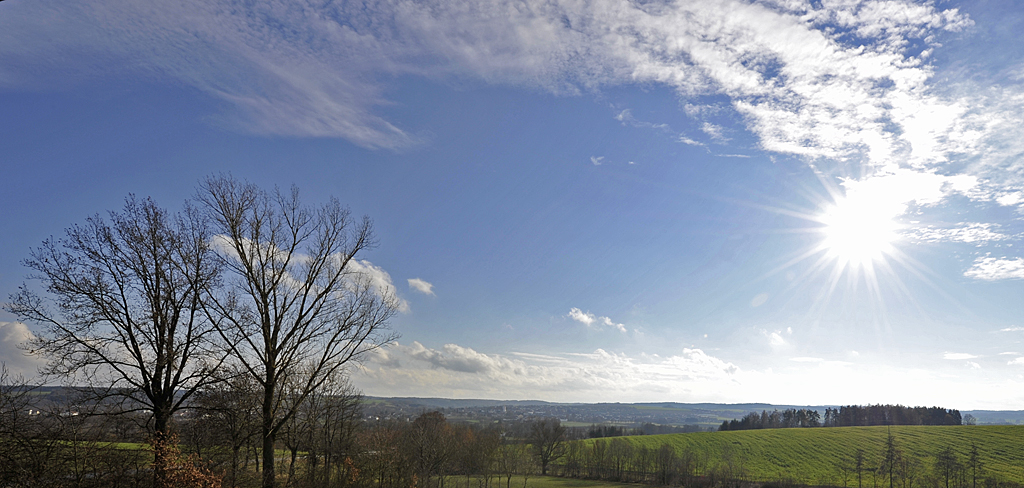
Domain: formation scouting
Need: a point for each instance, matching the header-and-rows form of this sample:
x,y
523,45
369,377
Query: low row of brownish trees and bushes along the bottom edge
x,y
327,445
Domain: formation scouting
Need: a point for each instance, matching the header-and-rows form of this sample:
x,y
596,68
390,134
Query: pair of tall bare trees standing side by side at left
x,y
153,306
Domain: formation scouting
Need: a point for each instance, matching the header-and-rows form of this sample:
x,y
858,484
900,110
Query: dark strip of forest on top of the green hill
x,y
848,416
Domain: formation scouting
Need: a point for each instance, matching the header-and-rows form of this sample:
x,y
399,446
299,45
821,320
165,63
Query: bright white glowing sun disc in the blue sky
x,y
859,231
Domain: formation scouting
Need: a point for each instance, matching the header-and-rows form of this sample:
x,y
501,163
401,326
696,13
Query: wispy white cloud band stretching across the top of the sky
x,y
831,79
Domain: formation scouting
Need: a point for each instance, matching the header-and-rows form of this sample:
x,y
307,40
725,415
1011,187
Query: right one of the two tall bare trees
x,y
296,307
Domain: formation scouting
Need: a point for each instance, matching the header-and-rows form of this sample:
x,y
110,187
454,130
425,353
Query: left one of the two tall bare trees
x,y
122,307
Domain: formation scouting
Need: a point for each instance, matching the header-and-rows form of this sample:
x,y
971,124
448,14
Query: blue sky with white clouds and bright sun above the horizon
x,y
781,201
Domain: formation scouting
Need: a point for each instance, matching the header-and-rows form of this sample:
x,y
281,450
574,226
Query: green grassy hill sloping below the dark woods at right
x,y
816,456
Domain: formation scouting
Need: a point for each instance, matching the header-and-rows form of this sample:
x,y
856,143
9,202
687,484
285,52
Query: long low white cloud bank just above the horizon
x,y
691,376
